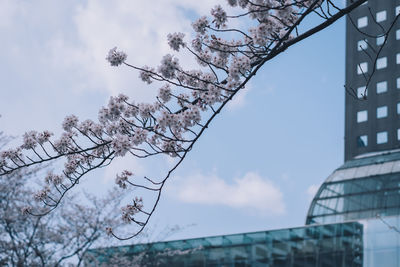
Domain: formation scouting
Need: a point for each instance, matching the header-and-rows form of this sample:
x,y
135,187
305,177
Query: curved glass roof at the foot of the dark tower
x,y
361,188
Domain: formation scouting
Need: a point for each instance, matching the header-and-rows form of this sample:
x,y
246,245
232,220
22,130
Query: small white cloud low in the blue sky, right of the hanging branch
x,y
248,192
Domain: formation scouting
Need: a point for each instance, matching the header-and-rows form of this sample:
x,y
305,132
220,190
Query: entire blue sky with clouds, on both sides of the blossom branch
x,y
255,168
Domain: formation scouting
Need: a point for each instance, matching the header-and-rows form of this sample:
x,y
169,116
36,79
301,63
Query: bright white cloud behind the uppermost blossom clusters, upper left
x,y
138,29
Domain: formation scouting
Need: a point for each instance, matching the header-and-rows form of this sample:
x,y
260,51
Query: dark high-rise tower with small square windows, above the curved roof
x,y
372,122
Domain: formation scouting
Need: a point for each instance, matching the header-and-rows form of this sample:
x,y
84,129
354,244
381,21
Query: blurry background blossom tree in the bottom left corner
x,y
61,238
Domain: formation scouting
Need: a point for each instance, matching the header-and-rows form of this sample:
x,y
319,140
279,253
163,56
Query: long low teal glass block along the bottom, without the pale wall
x,y
321,245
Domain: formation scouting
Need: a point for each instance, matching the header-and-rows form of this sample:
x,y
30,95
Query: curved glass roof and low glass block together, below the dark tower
x,y
353,220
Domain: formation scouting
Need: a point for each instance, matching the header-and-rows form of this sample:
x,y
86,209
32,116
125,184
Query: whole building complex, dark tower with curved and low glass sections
x,y
354,218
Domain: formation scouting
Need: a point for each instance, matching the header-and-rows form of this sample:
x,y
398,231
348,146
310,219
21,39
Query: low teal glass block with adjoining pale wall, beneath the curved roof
x,y
368,243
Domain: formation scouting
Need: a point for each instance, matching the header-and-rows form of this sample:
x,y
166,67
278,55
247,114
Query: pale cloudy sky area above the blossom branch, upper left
x,y
54,54
